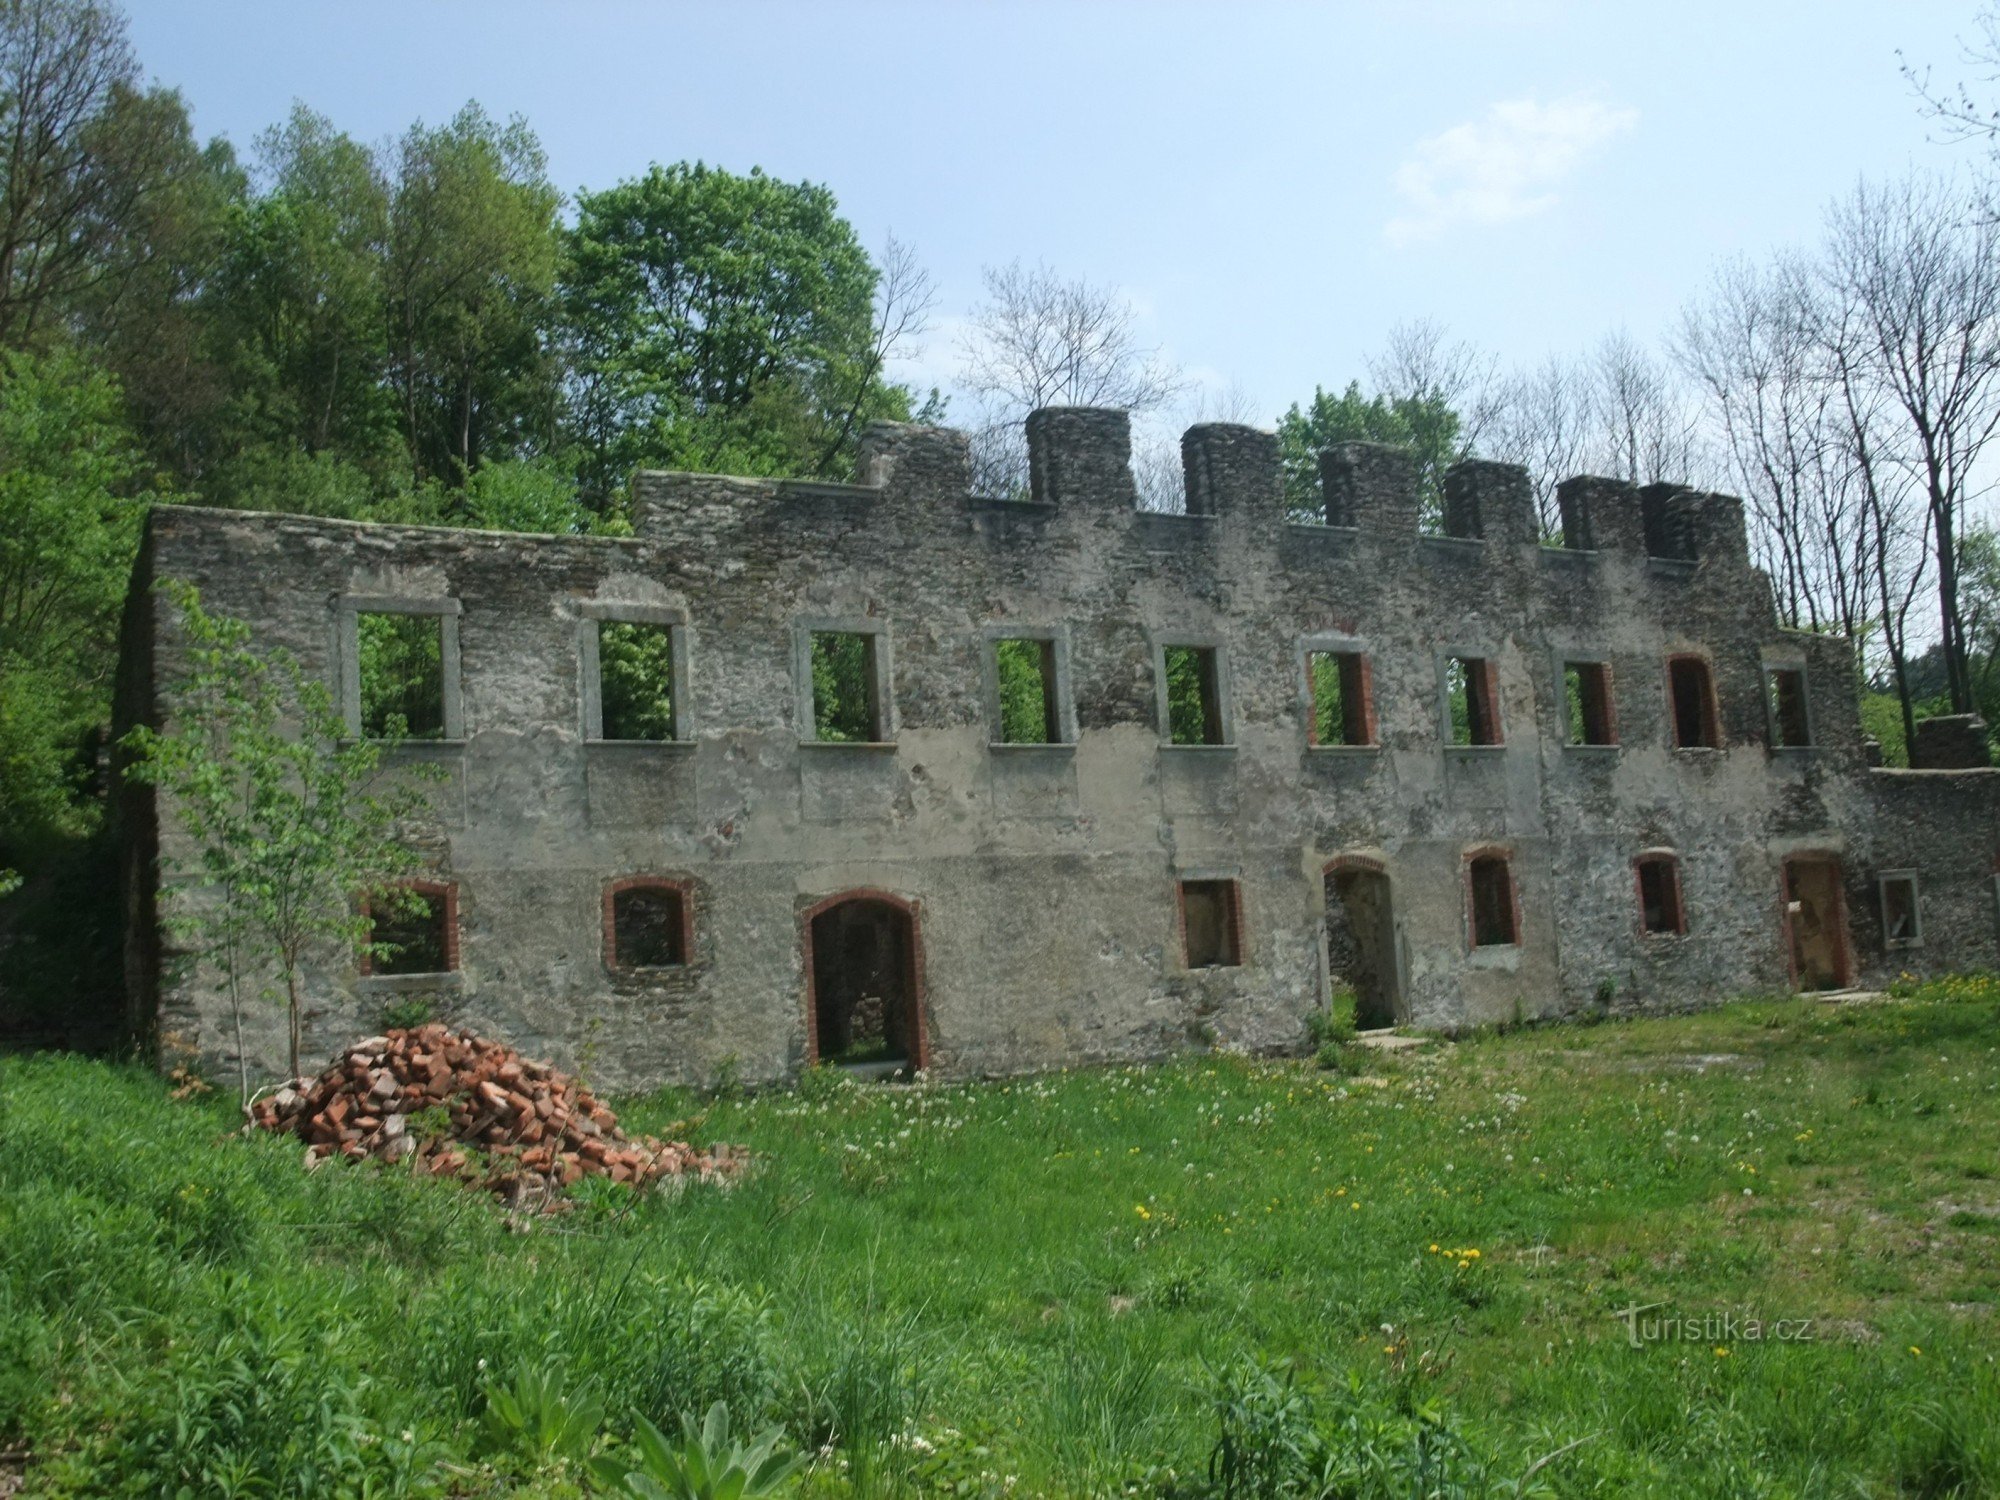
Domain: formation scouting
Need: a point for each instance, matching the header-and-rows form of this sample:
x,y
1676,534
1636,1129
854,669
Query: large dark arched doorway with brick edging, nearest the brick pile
x,y
865,983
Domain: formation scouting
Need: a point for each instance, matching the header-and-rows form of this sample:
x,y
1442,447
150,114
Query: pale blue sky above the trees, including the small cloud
x,y
1273,185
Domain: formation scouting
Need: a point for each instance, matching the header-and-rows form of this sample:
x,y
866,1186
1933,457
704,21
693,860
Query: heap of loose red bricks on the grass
x,y
477,1111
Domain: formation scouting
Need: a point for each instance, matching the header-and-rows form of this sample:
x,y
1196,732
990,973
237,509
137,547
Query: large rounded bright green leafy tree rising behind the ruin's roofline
x,y
721,323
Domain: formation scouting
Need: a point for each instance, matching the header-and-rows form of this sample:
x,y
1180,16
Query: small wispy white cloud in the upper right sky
x,y
1501,167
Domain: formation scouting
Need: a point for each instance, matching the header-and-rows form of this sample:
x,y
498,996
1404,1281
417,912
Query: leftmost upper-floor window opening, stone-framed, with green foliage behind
x,y
399,667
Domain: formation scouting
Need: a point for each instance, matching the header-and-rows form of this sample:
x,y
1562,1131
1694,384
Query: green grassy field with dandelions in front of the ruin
x,y
1217,1277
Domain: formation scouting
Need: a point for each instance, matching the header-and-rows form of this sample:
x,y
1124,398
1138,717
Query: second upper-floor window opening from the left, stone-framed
x,y
635,675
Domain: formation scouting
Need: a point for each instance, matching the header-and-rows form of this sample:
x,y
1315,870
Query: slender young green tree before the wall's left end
x,y
291,831
